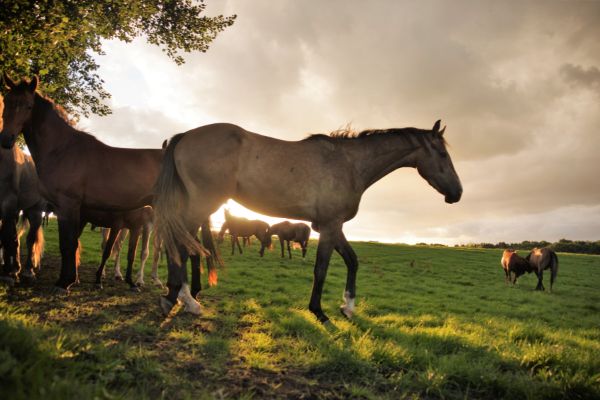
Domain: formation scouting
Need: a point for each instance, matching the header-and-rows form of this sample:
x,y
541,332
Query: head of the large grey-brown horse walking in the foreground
x,y
435,166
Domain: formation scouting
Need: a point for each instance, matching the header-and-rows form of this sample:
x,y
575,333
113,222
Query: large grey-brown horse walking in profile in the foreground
x,y
319,179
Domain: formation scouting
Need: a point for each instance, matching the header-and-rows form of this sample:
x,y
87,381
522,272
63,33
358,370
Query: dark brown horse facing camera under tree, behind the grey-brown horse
x,y
80,174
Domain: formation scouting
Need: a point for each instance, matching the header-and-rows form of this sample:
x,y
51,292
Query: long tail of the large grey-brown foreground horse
x,y
170,198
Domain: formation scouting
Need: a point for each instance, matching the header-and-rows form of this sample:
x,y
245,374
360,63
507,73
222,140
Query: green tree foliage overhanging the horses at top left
x,y
57,39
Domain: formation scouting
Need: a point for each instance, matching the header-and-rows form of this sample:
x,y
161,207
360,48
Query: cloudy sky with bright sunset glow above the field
x,y
517,84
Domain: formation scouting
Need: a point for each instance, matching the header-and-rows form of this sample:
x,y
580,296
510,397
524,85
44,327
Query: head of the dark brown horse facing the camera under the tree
x,y
18,106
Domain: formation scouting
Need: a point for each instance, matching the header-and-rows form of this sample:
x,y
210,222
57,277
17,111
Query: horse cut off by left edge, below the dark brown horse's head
x,y
19,191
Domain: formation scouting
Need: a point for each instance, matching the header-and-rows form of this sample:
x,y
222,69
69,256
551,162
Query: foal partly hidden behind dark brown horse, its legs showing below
x,y
138,222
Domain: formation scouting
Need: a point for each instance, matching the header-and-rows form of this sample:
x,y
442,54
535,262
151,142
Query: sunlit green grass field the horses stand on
x,y
430,323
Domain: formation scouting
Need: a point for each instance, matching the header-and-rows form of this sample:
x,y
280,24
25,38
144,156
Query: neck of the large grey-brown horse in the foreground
x,y
378,155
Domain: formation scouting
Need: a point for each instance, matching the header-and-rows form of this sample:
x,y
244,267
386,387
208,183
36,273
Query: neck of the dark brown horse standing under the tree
x,y
47,131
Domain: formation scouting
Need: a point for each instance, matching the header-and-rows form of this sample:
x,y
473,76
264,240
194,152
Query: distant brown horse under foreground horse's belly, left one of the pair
x,y
243,227
